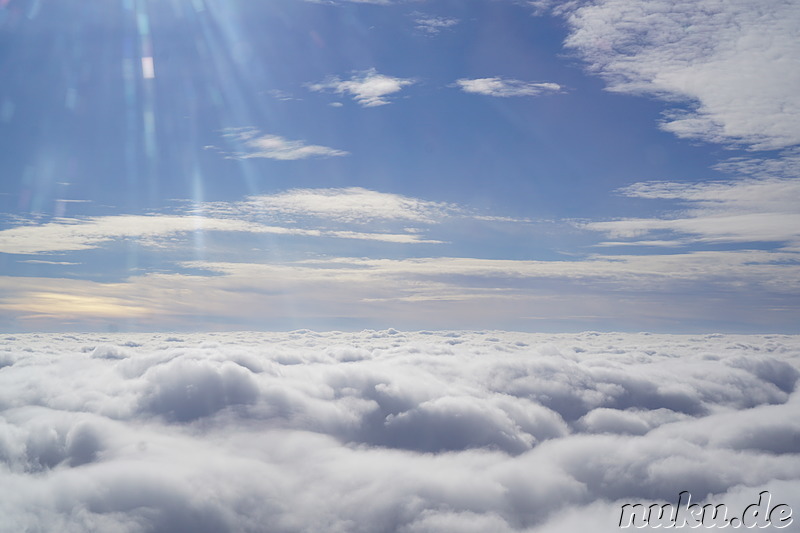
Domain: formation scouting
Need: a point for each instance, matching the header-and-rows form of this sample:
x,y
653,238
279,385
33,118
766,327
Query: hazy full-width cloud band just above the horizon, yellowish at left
x,y
658,291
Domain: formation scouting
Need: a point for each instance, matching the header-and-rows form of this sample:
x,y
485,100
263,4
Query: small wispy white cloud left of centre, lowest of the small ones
x,y
275,147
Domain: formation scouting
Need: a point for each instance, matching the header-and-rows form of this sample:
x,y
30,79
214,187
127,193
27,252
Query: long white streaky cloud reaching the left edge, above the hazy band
x,y
316,208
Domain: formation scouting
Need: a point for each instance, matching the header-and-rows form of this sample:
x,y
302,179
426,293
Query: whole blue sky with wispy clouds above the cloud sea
x,y
245,164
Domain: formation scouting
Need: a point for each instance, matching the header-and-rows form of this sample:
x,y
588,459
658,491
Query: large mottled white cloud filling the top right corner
x,y
731,65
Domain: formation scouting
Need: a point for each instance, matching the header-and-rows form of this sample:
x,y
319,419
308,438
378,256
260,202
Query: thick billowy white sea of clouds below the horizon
x,y
385,431
